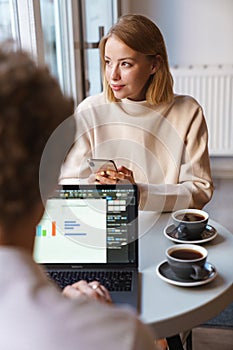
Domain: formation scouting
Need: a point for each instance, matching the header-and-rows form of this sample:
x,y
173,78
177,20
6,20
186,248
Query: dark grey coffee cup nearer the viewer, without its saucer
x,y
187,261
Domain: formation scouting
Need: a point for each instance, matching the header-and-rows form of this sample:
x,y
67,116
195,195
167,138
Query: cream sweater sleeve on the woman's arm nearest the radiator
x,y
194,187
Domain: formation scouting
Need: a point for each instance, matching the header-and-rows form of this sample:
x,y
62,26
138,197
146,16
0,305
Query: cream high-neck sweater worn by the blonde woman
x,y
166,146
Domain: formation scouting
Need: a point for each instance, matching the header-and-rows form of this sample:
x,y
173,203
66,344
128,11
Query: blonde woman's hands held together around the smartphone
x,y
111,177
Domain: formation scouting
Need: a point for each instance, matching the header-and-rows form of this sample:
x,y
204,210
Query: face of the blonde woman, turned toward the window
x,y
127,71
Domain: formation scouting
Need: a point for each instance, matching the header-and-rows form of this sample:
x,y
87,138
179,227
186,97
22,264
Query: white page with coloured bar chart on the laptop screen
x,y
69,229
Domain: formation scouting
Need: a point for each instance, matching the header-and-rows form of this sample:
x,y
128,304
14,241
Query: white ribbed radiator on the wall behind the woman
x,y
212,87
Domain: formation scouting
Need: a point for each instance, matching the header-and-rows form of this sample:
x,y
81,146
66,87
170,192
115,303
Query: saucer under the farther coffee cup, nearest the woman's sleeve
x,y
207,235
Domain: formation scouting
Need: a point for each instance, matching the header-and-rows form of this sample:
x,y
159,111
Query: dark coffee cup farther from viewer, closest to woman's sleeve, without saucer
x,y
190,223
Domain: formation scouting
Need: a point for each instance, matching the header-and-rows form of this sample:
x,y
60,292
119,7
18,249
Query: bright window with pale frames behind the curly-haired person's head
x,y
64,35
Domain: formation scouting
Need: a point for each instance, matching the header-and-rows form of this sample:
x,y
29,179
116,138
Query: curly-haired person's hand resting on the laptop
x,y
93,290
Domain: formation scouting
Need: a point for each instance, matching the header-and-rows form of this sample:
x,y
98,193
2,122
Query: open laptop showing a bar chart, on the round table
x,y
91,232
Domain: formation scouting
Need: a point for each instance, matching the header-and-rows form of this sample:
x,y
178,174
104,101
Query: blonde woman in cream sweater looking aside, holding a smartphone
x,y
158,139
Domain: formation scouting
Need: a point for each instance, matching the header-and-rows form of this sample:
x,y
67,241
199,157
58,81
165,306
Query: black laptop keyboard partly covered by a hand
x,y
112,280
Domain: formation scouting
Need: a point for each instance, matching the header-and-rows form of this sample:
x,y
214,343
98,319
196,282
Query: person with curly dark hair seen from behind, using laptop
x,y
34,313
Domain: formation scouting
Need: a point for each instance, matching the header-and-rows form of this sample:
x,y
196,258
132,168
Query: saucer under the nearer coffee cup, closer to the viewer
x,y
164,271
